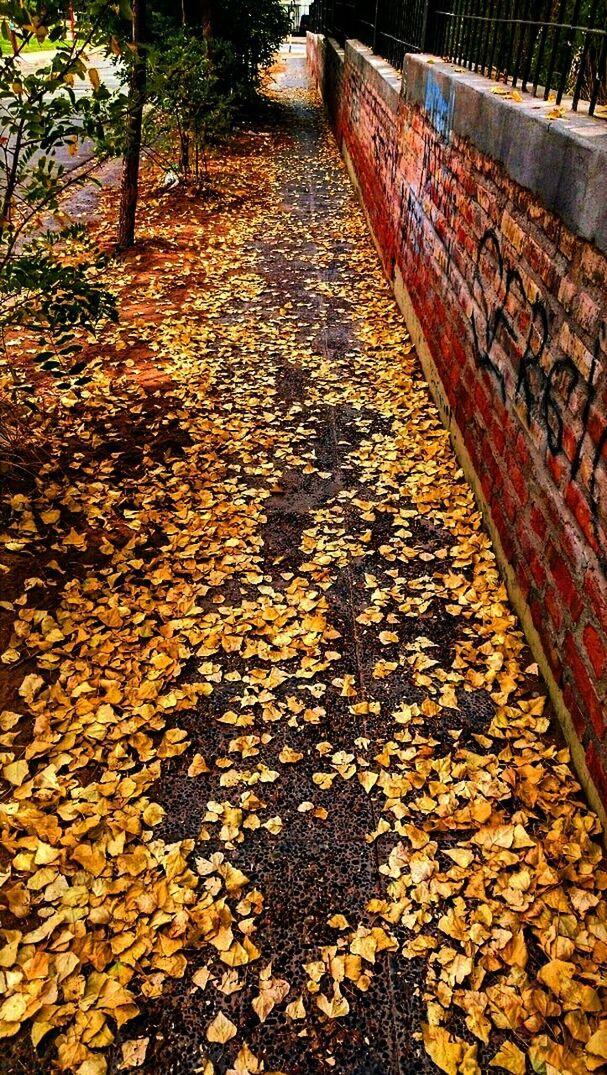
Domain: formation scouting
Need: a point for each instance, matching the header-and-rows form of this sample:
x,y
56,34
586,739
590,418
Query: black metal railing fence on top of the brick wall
x,y
548,48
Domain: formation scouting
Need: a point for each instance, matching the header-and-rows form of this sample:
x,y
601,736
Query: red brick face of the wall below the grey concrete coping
x,y
551,532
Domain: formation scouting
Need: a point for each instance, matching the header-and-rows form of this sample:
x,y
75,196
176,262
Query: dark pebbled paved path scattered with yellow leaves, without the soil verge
x,y
377,761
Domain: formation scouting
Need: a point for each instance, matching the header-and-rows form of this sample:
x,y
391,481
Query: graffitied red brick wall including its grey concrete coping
x,y
500,252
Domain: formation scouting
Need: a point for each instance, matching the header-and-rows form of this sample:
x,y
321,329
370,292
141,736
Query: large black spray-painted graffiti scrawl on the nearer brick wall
x,y
512,336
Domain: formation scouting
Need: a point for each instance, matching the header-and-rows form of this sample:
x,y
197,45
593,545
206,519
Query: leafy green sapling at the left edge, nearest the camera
x,y
49,138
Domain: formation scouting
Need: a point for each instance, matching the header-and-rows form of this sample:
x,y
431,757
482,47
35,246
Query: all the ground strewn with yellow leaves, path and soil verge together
x,y
250,571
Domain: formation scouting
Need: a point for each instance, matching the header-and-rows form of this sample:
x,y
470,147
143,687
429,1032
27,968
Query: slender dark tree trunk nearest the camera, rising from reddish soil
x,y
132,164
